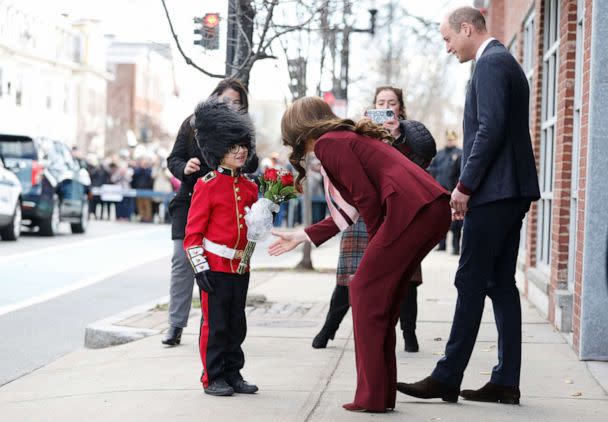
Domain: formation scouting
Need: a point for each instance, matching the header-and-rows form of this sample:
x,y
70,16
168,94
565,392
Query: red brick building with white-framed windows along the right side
x,y
558,43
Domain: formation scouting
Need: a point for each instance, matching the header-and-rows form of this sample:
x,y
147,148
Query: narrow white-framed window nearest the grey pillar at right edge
x,y
576,138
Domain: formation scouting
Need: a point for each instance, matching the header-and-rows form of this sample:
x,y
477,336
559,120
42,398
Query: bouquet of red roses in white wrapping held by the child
x,y
276,187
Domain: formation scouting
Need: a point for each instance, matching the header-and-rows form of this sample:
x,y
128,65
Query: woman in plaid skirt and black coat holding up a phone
x,y
354,238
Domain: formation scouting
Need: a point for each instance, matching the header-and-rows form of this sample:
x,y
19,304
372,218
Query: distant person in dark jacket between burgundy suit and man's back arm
x,y
445,168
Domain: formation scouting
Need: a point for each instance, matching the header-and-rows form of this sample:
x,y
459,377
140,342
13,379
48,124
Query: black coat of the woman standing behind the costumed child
x,y
184,149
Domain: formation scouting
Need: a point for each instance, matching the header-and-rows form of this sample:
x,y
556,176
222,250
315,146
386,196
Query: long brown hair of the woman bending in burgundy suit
x,y
310,118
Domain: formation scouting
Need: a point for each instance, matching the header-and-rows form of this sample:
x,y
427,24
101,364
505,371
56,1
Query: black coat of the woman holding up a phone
x,y
418,144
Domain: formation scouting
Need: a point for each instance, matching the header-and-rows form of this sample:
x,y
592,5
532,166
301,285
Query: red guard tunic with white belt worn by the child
x,y
217,214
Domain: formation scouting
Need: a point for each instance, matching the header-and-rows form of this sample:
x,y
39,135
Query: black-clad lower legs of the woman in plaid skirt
x,y
339,304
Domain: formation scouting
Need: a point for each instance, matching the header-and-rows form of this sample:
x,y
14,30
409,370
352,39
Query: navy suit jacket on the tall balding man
x,y
497,161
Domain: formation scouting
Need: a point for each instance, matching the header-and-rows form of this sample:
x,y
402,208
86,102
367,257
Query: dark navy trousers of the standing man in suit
x,y
487,268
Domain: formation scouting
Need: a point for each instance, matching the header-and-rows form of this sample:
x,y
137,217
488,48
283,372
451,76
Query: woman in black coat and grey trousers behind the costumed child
x,y
186,163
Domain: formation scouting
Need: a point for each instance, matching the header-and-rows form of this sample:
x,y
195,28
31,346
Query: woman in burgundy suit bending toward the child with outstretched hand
x,y
404,222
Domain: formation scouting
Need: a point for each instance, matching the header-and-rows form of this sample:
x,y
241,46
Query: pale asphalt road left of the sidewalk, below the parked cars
x,y
52,288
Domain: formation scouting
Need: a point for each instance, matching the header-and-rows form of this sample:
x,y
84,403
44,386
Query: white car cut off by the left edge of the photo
x,y
10,204
